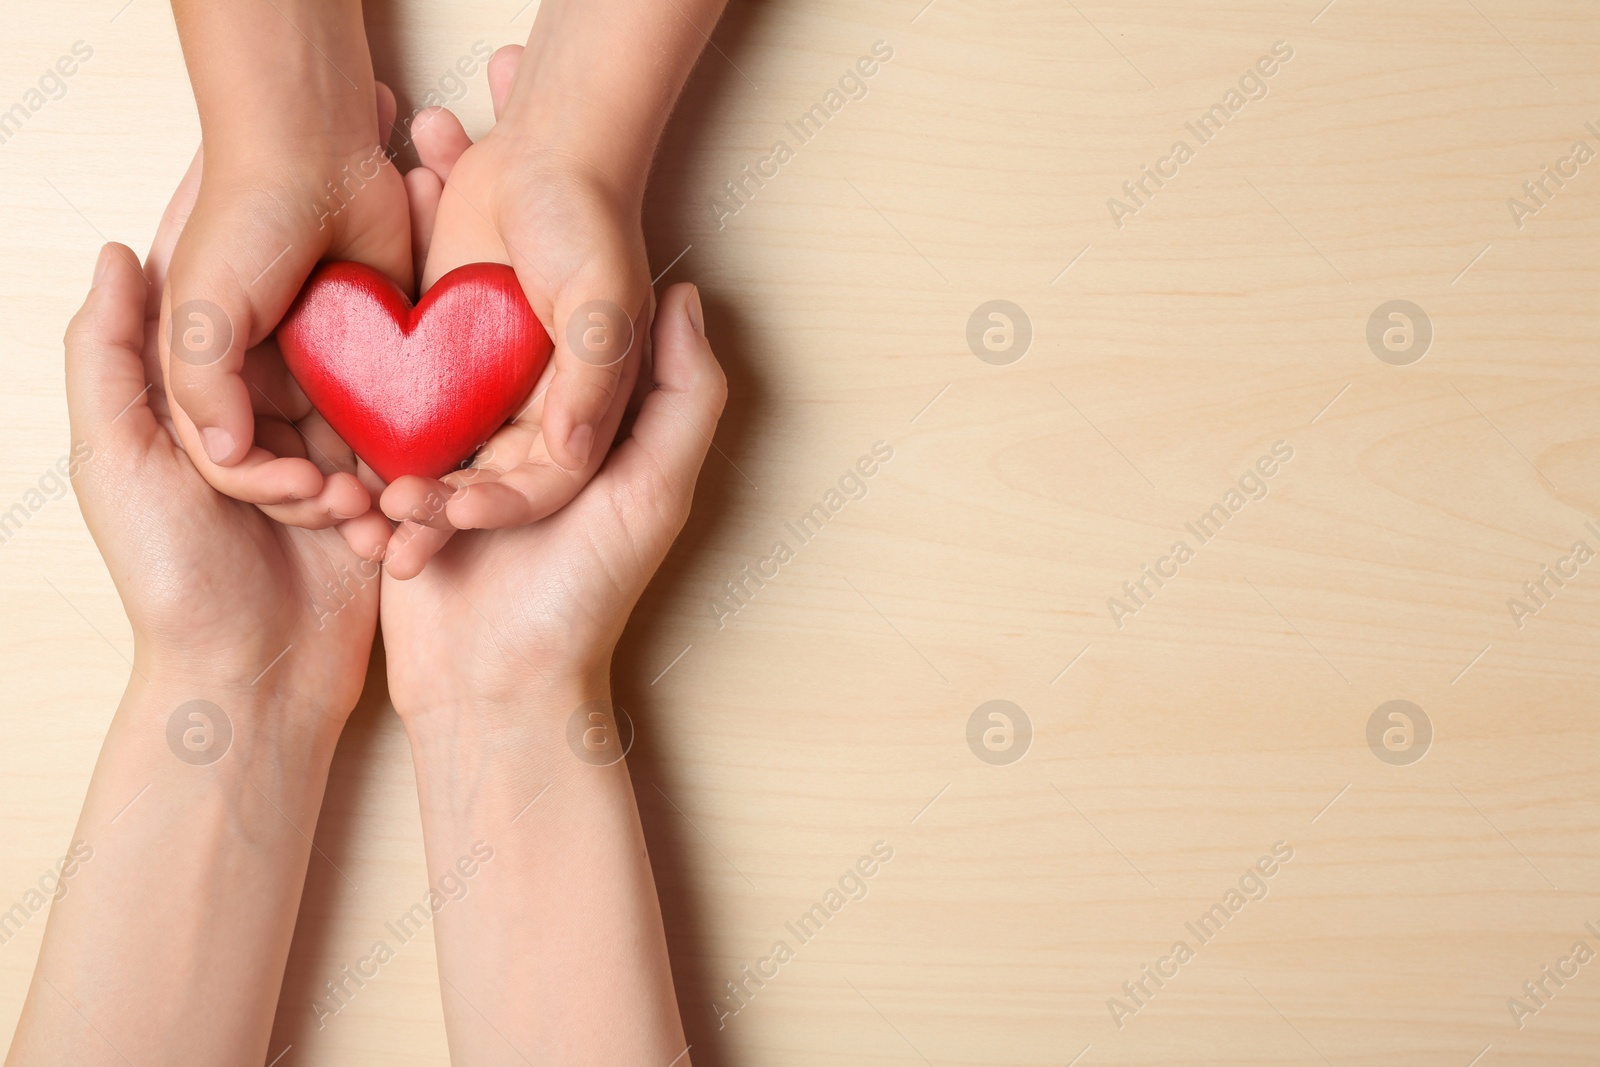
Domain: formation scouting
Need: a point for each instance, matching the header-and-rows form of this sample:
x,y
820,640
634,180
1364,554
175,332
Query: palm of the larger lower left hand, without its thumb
x,y
214,580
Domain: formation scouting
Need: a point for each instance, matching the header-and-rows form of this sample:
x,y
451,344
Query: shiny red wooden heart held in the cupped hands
x,y
414,390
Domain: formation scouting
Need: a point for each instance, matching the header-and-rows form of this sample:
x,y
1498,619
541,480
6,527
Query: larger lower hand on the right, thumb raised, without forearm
x,y
505,613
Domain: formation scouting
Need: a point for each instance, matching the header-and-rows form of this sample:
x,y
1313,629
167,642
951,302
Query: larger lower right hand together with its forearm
x,y
495,650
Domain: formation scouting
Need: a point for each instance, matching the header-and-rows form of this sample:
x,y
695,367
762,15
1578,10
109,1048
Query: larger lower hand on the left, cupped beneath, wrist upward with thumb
x,y
217,591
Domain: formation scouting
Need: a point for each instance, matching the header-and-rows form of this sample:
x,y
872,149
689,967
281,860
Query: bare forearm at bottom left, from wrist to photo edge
x,y
172,930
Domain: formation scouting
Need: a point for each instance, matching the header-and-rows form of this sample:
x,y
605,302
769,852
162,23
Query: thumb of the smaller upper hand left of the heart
x,y
233,276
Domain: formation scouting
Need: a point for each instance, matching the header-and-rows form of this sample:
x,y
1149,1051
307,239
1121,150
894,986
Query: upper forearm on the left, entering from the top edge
x,y
279,73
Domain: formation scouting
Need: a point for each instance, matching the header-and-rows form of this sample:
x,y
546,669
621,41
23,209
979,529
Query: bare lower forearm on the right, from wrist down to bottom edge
x,y
551,951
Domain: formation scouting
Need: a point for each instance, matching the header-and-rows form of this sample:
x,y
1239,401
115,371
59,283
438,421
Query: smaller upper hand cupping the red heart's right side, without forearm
x,y
578,250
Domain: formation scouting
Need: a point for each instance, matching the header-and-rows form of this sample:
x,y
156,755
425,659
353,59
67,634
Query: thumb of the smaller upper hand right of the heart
x,y
599,321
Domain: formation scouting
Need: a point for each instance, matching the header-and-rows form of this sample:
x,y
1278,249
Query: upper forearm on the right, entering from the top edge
x,y
601,78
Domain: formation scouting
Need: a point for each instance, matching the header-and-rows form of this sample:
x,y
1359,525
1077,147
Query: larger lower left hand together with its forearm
x,y
250,649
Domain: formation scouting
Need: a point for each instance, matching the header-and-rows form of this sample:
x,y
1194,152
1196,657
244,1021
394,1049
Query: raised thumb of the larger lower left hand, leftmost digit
x,y
108,396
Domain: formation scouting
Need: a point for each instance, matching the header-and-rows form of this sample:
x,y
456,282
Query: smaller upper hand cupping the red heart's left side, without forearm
x,y
265,217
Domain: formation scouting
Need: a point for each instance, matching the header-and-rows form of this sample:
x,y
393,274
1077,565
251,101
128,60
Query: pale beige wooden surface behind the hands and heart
x,y
1167,356
